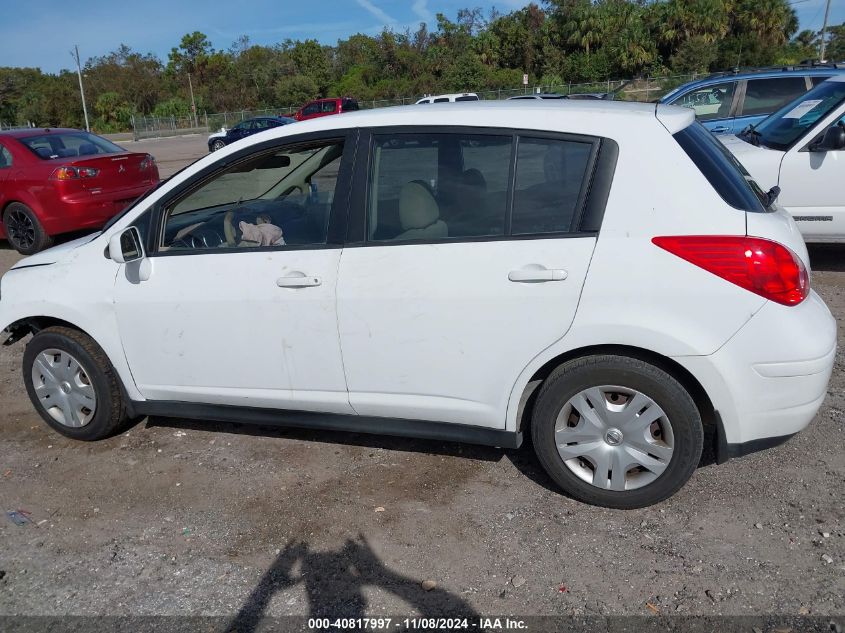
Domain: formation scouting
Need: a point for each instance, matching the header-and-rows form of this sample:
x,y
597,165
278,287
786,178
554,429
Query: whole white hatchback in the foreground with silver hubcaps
x,y
382,272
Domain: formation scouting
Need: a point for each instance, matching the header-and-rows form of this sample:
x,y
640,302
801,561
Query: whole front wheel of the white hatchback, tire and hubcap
x,y
72,384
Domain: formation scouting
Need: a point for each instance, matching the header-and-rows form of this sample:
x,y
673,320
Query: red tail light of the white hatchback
x,y
761,266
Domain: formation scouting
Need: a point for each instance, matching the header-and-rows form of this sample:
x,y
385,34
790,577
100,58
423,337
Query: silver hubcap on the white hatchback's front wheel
x,y
63,388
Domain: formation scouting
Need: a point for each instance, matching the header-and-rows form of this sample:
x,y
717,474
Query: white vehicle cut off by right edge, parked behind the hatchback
x,y
801,149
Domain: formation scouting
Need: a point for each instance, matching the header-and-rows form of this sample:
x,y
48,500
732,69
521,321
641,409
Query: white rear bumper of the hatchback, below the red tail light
x,y
770,379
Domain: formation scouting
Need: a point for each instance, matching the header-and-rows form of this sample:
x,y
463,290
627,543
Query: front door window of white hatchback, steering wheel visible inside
x,y
269,199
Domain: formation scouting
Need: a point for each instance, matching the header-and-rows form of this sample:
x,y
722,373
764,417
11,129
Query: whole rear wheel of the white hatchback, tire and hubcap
x,y
616,431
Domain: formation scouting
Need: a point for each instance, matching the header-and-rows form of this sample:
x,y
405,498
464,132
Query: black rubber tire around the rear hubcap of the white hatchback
x,y
571,378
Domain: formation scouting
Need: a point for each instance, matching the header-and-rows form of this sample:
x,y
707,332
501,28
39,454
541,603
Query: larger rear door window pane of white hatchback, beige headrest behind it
x,y
438,186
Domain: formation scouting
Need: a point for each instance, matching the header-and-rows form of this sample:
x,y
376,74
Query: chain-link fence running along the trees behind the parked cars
x,y
645,89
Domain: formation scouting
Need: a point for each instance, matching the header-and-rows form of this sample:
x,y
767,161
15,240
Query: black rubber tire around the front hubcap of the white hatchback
x,y
109,414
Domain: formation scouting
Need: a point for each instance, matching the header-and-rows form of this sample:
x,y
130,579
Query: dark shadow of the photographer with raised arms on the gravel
x,y
334,582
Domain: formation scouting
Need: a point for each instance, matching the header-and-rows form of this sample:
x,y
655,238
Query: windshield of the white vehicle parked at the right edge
x,y
789,124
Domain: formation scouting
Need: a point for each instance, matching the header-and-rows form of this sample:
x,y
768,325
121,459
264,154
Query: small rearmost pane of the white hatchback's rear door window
x,y
549,178
